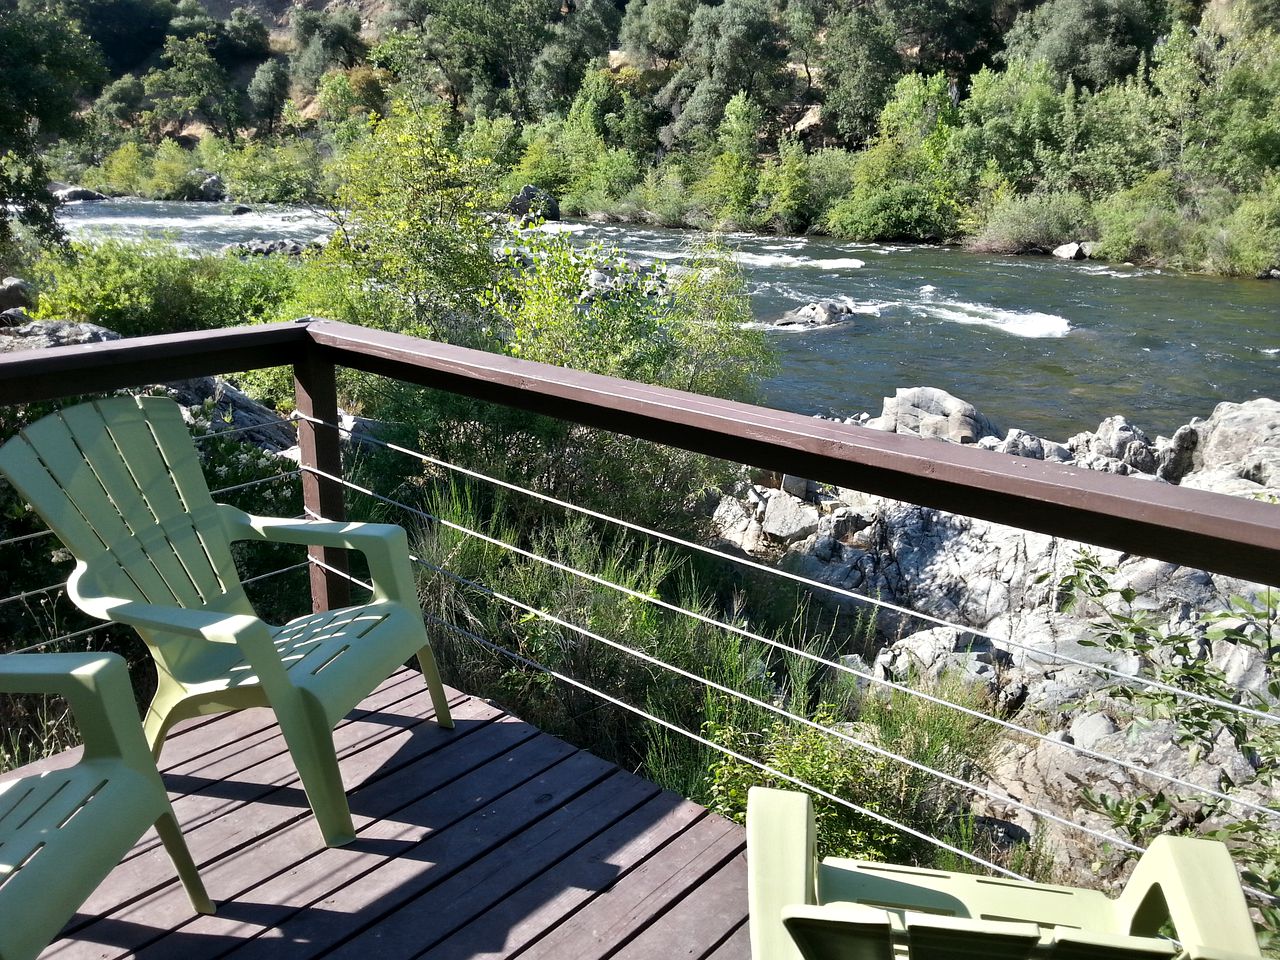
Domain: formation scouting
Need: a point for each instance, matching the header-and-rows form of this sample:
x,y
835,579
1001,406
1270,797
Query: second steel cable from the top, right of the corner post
x,y
836,665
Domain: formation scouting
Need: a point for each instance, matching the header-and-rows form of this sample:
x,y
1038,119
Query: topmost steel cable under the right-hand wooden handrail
x,y
810,583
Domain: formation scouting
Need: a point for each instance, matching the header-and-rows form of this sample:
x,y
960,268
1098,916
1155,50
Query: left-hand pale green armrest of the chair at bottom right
x,y
781,867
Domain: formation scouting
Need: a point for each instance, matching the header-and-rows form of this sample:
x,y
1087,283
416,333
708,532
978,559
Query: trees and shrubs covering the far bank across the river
x,y
1148,126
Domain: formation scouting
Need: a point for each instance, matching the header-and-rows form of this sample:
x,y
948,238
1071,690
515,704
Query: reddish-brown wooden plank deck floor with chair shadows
x,y
493,840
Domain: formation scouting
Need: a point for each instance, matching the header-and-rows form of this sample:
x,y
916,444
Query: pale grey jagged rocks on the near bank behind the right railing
x,y
1000,587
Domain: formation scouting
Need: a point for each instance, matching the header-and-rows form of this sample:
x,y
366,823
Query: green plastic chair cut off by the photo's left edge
x,y
62,833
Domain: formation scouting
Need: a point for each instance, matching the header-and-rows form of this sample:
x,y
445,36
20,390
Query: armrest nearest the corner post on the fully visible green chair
x,y
386,546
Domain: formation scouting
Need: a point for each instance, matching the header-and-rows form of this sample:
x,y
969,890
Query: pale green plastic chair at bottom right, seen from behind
x,y
860,911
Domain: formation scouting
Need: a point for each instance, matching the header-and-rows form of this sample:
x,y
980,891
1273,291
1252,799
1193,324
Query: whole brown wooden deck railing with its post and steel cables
x,y
1223,534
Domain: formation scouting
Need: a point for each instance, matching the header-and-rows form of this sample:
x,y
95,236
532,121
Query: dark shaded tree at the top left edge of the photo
x,y
48,63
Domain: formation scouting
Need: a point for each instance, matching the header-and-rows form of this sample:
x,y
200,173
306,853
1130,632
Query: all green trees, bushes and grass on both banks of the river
x,y
413,171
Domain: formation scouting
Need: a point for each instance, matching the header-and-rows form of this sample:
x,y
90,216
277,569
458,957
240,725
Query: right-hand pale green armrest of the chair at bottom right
x,y
1195,884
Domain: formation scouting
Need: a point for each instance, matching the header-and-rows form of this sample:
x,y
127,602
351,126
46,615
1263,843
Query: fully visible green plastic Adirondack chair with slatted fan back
x,y
120,482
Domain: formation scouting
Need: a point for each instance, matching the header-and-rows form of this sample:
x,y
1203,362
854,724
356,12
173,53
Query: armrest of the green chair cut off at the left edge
x,y
97,687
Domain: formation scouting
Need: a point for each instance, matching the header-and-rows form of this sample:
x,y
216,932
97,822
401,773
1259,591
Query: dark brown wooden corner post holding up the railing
x,y
316,392
